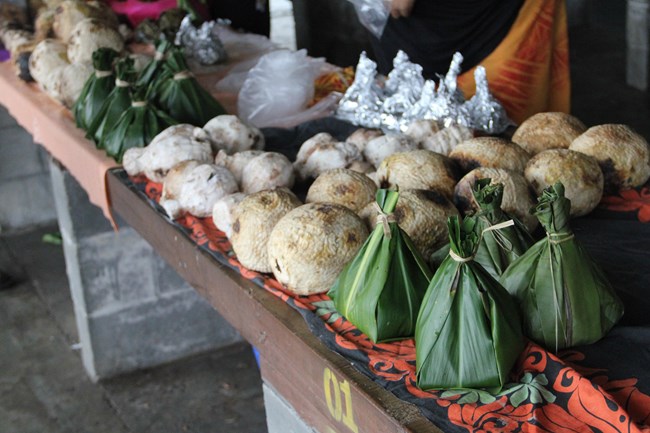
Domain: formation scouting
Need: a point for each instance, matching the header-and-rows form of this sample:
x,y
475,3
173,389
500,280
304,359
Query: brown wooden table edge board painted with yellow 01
x,y
284,340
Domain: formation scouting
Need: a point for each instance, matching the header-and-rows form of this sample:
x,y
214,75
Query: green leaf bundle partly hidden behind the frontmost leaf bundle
x,y
498,248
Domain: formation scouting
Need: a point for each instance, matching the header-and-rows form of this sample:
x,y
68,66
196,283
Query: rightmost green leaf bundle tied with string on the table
x,y
564,297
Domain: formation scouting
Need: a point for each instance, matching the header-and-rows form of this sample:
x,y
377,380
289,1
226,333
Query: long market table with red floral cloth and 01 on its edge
x,y
602,387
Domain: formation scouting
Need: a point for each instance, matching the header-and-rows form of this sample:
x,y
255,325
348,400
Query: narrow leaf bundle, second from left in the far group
x,y
115,103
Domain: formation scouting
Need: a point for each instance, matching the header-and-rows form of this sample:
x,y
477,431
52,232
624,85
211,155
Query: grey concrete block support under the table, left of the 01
x,y
132,310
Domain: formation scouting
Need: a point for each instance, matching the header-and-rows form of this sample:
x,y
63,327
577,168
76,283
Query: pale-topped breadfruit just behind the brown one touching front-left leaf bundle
x,y
418,169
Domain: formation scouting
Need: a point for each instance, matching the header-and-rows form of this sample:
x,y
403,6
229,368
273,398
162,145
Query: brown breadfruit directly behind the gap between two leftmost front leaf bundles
x,y
422,214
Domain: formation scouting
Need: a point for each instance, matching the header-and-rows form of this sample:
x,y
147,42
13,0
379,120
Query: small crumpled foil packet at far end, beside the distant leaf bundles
x,y
203,43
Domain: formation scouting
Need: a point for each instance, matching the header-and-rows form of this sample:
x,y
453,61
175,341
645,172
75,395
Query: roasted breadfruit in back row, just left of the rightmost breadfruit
x,y
552,130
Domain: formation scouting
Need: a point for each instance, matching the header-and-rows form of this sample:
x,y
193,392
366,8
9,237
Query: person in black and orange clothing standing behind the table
x,y
523,45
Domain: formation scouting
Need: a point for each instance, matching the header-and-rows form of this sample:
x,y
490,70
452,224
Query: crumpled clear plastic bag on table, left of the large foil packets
x,y
279,86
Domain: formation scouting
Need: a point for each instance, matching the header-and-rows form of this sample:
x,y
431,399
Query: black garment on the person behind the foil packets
x,y
436,29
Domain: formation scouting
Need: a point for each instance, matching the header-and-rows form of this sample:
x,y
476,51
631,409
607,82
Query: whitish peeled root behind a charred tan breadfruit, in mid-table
x,y
321,153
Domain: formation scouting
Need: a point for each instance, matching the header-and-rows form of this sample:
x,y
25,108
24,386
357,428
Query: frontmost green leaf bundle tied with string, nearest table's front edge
x,y
468,332
